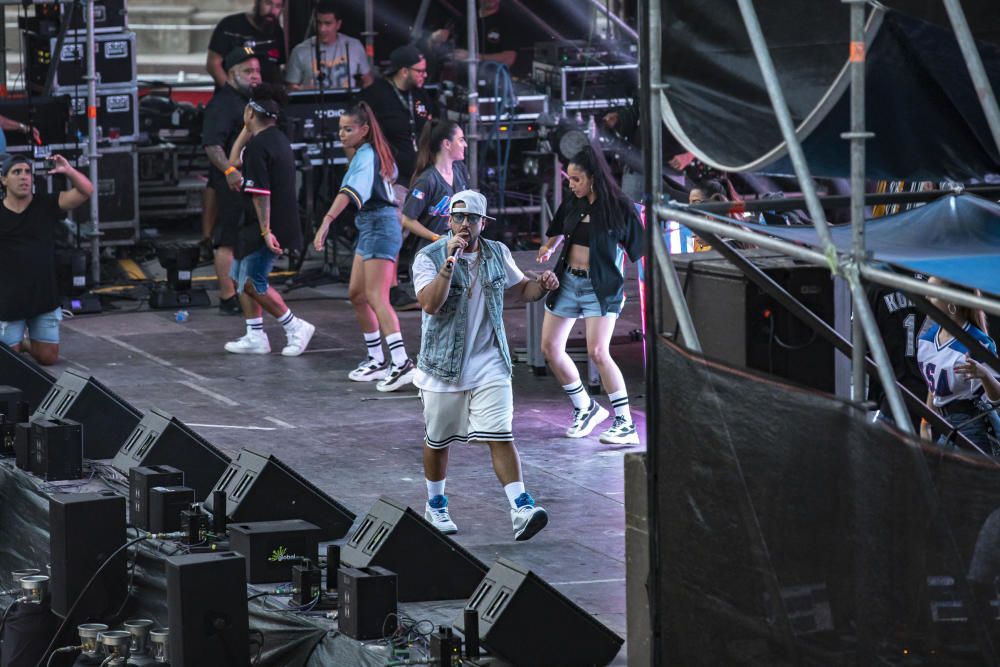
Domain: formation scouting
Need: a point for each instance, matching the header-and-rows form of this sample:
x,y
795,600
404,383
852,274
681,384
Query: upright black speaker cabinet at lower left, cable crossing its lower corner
x,y
85,529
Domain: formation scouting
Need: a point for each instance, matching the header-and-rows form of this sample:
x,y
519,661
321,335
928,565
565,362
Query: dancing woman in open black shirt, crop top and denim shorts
x,y
599,225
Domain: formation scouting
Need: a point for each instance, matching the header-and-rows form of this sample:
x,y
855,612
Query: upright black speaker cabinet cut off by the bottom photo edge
x,y
207,610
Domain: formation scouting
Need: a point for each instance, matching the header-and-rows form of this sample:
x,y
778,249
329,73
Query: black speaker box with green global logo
x,y
260,541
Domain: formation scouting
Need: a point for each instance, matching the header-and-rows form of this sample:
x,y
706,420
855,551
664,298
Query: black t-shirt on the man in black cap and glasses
x,y
402,117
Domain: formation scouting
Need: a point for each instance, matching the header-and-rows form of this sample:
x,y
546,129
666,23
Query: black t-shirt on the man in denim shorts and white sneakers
x,y
269,169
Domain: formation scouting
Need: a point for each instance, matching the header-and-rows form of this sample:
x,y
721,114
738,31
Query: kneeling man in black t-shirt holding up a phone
x,y
29,298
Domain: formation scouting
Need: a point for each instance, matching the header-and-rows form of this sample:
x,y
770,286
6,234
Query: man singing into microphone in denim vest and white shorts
x,y
464,368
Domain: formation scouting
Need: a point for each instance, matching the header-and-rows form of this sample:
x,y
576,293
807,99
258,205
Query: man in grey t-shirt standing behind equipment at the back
x,y
343,61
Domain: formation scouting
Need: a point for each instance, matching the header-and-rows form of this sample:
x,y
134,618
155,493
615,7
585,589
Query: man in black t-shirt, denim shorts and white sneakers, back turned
x,y
269,179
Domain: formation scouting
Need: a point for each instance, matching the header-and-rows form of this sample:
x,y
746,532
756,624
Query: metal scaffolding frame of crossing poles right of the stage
x,y
852,266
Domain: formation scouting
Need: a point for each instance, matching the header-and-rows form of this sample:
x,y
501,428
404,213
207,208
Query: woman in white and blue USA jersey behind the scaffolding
x,y
957,383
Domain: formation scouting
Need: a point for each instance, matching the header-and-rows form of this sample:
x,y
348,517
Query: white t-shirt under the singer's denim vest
x,y
482,363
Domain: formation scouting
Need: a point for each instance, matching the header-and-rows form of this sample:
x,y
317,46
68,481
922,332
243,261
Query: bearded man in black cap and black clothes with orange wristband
x,y
223,123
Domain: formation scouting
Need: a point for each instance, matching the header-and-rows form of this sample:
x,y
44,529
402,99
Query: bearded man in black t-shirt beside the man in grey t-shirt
x,y
258,30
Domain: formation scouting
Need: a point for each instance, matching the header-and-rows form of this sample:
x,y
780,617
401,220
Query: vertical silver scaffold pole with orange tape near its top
x,y
857,137
